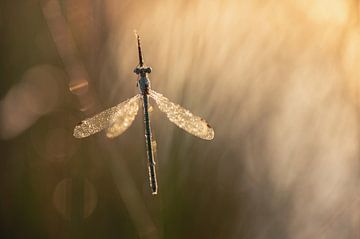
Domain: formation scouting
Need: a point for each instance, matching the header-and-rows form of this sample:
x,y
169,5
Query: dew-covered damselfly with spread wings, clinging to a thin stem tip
x,y
119,118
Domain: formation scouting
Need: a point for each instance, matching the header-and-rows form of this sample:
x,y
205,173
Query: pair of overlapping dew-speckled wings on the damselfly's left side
x,y
118,118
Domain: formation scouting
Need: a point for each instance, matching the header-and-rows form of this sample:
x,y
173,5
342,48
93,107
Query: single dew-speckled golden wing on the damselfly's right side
x,y
183,118
